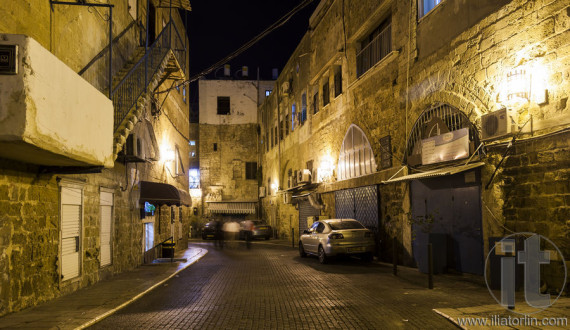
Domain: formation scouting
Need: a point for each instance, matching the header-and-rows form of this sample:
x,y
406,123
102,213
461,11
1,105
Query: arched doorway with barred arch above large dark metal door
x,y
446,208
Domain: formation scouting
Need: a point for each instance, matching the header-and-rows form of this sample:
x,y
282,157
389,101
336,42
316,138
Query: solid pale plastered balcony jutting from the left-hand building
x,y
49,115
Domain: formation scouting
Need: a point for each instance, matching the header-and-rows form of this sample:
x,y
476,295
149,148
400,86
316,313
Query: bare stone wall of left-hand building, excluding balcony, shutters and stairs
x,y
29,194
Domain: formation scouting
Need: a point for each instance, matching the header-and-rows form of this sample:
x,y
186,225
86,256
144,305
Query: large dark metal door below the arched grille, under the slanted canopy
x,y
450,208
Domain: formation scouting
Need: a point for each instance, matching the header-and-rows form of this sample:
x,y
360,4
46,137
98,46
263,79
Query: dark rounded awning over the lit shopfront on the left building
x,y
162,193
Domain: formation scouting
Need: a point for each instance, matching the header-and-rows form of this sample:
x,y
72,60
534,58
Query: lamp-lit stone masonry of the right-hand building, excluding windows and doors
x,y
462,61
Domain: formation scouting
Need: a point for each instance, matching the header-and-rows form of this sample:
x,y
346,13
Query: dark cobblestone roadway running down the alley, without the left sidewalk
x,y
270,286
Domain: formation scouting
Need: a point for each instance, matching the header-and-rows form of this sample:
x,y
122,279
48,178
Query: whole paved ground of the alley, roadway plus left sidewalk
x,y
269,286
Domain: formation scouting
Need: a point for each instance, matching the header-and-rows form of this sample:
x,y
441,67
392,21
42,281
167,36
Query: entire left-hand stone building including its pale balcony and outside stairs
x,y
82,152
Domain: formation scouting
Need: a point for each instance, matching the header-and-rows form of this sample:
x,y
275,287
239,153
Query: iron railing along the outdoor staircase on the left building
x,y
136,81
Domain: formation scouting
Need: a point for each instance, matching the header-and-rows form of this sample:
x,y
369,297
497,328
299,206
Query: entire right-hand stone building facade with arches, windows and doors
x,y
377,92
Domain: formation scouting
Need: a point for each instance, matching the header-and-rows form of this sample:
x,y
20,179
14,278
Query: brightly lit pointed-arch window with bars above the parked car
x,y
356,157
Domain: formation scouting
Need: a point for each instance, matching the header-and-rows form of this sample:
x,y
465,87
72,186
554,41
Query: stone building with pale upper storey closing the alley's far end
x,y
228,154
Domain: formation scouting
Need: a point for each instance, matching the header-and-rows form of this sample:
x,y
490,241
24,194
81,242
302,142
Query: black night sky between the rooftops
x,y
218,27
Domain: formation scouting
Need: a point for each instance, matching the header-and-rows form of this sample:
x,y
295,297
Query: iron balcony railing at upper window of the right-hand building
x,y
376,50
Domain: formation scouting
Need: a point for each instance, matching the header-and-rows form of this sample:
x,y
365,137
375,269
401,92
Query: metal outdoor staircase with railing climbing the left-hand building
x,y
135,83
